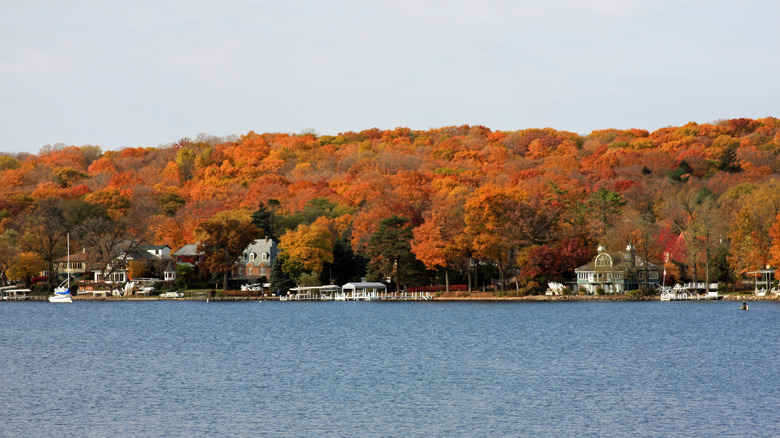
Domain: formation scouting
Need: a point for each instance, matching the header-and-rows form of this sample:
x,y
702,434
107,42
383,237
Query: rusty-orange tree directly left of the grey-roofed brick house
x,y
222,241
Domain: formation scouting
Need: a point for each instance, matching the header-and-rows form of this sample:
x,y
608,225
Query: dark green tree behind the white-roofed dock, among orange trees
x,y
390,250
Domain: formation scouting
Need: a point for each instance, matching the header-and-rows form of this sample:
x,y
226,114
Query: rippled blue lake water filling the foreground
x,y
348,369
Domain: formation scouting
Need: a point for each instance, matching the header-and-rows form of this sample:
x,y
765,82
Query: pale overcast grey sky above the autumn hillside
x,y
145,73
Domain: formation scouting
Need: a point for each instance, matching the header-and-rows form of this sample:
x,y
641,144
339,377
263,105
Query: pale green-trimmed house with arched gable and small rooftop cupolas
x,y
617,272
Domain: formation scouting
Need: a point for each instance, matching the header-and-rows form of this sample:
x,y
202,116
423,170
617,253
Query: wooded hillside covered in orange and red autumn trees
x,y
530,205
